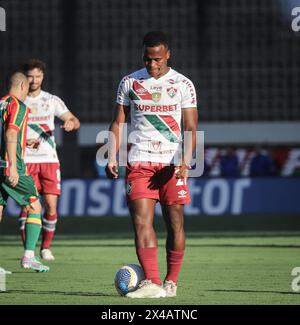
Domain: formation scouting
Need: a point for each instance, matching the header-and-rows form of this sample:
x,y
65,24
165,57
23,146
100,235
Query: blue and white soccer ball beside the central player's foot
x,y
128,277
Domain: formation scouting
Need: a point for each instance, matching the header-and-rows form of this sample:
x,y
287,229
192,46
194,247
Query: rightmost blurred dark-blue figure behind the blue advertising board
x,y
261,164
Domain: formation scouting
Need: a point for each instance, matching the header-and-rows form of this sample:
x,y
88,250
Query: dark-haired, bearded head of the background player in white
x,y
34,69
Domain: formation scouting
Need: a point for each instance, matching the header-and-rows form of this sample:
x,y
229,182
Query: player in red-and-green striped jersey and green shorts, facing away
x,y
15,181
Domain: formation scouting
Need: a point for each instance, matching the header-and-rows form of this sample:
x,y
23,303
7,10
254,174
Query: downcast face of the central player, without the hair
x,y
156,60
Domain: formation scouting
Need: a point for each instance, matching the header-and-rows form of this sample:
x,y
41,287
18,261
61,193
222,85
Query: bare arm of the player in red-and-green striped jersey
x,y
11,139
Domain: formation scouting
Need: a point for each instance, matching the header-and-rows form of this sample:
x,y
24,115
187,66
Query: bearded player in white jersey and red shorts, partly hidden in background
x,y
42,160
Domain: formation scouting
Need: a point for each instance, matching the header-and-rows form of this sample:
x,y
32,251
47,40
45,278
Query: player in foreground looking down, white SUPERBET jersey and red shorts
x,y
158,100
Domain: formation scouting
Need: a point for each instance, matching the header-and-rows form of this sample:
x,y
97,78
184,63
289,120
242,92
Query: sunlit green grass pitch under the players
x,y
218,269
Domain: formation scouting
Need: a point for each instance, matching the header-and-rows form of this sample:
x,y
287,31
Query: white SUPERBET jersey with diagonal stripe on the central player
x,y
156,113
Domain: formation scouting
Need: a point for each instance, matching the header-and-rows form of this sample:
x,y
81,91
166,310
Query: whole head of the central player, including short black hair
x,y
156,53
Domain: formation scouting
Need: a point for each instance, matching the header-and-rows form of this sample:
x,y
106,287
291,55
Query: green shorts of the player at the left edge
x,y
24,193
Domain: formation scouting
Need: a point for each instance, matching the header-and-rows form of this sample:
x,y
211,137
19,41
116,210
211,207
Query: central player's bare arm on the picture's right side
x,y
190,123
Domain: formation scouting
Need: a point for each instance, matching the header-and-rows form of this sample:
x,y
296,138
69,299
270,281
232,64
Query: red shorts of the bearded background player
x,y
46,177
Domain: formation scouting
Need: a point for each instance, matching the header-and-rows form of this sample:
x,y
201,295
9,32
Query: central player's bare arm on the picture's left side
x,y
115,138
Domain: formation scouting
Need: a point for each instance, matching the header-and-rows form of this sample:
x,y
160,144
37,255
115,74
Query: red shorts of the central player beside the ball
x,y
156,181
